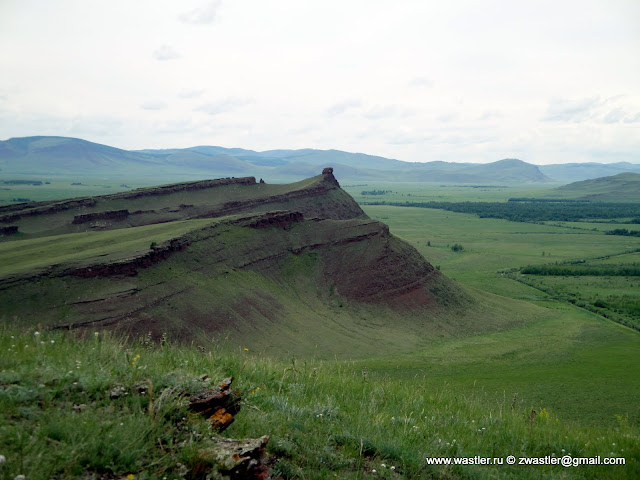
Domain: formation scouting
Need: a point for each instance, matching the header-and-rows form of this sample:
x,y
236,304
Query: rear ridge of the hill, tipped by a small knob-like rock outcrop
x,y
319,198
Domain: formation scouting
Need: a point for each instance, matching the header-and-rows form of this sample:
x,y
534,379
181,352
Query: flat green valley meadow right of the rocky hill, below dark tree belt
x,y
576,363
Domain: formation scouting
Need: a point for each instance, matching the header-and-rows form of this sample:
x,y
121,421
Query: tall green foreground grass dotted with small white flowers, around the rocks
x,y
103,407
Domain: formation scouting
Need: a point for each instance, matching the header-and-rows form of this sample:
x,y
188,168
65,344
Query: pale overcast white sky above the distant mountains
x,y
460,81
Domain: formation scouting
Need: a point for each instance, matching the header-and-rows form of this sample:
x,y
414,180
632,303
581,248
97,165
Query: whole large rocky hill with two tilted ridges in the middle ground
x,y
279,268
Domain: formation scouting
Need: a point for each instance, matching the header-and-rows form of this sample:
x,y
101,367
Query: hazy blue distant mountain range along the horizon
x,y
71,156
